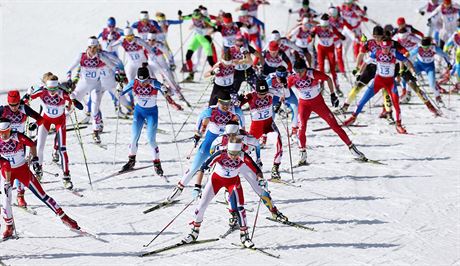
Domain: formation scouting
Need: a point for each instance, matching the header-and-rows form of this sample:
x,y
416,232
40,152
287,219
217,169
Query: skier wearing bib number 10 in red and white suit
x,y
54,102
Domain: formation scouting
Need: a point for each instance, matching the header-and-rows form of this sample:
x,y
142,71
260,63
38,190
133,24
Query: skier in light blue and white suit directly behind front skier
x,y
211,123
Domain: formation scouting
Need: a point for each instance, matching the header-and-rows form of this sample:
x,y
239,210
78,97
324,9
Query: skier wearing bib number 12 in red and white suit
x,y
261,109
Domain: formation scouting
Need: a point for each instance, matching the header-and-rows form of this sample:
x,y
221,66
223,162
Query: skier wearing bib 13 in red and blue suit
x,y
385,59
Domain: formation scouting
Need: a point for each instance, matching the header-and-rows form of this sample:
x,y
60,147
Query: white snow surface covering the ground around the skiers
x,y
402,213
